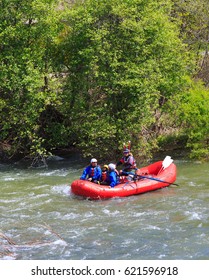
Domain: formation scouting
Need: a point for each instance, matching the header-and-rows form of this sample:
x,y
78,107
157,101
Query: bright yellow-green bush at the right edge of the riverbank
x,y
194,113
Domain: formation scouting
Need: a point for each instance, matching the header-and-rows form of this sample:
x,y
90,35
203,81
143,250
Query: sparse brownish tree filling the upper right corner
x,y
193,20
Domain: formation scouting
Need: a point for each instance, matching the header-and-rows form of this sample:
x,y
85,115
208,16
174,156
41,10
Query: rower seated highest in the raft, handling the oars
x,y
128,162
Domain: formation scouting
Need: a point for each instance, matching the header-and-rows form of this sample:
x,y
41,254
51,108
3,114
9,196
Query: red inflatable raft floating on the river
x,y
149,178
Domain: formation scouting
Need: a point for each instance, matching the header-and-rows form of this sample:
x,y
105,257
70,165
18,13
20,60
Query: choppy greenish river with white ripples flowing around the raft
x,y
42,220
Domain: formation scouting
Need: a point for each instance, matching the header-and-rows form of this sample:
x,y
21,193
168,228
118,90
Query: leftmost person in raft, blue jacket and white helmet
x,y
92,172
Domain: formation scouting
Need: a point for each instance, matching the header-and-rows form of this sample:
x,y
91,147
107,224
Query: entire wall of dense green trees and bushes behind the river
x,y
93,74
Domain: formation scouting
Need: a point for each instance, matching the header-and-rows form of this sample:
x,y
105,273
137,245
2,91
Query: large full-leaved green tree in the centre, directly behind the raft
x,y
125,60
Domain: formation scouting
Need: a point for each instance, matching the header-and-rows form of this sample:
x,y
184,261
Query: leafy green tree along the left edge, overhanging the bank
x,y
28,33
